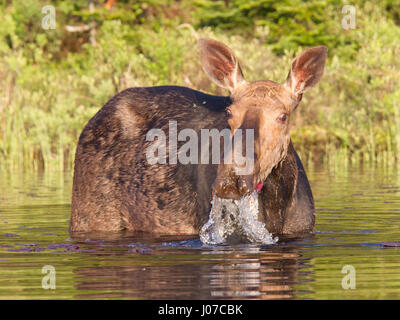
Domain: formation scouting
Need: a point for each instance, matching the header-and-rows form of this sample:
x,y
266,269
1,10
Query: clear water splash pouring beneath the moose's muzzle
x,y
233,221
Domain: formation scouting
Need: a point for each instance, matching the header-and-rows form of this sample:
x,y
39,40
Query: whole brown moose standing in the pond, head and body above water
x,y
115,187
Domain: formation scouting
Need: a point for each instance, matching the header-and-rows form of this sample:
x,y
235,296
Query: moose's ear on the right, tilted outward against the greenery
x,y
306,70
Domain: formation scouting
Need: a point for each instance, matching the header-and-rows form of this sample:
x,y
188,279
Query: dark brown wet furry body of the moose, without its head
x,y
115,188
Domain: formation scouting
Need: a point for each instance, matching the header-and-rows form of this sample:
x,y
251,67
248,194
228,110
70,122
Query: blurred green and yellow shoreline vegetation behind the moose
x,y
53,81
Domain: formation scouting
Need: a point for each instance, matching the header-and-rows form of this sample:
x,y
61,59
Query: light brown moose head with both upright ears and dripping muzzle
x,y
264,106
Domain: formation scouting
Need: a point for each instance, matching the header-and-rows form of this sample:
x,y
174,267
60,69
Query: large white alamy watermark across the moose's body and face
x,y
197,150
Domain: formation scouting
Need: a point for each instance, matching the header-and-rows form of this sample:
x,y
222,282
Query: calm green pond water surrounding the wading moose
x,y
357,210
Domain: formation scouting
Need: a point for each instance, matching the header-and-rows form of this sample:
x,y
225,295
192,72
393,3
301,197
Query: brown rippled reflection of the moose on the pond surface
x,y
242,272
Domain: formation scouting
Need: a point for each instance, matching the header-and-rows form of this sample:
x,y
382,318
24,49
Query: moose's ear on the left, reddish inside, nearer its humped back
x,y
220,64
